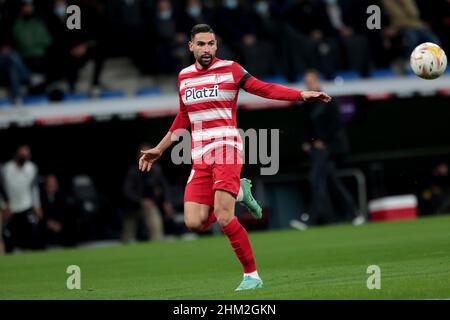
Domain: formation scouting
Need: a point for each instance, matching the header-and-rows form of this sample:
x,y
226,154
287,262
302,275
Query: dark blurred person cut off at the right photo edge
x,y
435,199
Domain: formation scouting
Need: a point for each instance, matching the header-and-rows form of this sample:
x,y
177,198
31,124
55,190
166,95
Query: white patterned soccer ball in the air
x,y
428,61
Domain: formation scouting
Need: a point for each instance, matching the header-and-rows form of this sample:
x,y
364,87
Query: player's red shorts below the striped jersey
x,y
205,179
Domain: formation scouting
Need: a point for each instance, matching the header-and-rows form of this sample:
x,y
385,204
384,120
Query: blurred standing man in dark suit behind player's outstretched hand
x,y
326,141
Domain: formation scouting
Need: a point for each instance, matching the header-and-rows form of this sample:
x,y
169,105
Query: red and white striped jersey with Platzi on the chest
x,y
208,99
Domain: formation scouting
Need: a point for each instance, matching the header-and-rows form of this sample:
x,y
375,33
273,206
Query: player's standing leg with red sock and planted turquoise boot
x,y
224,204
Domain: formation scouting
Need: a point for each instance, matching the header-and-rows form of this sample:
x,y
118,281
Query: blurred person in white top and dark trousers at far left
x,y
22,207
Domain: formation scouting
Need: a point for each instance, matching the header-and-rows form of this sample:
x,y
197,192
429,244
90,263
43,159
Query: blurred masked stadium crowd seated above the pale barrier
x,y
270,38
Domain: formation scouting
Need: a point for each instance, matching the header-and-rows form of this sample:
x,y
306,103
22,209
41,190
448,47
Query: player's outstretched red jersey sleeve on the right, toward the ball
x,y
263,89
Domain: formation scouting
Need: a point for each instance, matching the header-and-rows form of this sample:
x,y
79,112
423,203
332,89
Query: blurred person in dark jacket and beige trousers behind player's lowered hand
x,y
147,197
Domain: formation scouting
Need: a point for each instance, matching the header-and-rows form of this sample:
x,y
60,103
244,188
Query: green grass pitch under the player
x,y
320,263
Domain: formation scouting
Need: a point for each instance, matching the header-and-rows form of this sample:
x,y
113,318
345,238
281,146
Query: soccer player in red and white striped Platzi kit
x,y
208,92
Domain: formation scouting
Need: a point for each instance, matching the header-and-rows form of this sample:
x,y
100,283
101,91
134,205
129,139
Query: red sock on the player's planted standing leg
x,y
241,245
